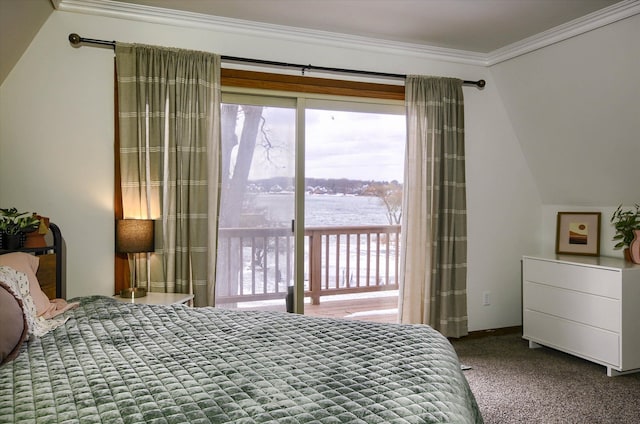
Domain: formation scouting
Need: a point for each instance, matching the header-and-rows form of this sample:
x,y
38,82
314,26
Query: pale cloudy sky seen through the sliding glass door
x,y
359,146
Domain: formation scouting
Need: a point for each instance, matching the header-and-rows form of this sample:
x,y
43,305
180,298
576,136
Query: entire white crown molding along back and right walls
x,y
135,12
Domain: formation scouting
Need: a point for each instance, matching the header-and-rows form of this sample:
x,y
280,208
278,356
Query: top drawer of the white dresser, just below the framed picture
x,y
597,281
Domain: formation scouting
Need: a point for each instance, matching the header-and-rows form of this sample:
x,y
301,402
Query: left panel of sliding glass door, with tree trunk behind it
x,y
255,264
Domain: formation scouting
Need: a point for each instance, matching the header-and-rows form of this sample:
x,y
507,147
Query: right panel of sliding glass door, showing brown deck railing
x,y
354,166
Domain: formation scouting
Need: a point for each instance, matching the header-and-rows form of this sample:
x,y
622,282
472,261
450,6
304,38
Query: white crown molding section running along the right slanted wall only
x,y
595,20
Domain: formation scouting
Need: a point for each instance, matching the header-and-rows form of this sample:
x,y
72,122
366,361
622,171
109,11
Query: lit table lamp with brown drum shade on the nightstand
x,y
134,236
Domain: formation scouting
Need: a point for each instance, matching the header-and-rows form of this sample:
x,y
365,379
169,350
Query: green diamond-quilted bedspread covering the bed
x,y
117,362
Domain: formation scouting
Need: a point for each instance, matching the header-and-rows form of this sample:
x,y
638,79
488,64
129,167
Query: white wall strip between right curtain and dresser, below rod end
x,y
503,214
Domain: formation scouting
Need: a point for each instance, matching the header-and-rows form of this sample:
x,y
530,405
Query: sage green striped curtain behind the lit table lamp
x,y
168,109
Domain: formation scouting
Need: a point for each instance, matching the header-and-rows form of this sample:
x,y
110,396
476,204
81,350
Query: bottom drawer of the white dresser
x,y
587,342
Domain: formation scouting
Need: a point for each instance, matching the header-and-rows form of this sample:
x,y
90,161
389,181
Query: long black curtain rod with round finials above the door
x,y
76,40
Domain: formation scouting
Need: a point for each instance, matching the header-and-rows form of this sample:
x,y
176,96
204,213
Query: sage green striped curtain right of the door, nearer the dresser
x,y
433,256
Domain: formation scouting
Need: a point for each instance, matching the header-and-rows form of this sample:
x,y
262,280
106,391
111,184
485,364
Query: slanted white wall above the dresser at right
x,y
575,107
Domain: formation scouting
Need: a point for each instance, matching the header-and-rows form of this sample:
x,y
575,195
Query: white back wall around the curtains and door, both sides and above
x,y
56,142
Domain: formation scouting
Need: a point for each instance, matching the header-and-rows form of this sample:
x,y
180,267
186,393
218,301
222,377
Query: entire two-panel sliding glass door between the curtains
x,y
311,199
